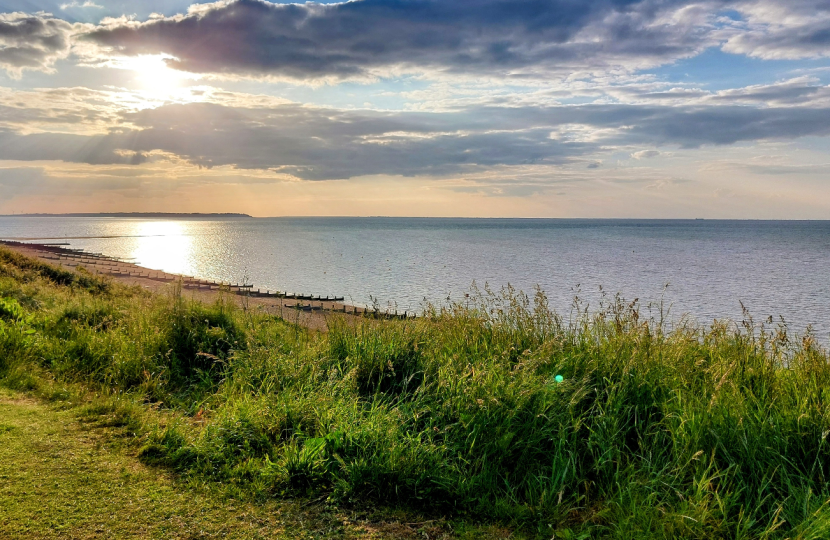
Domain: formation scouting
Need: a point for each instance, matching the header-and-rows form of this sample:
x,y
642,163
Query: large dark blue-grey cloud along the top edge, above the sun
x,y
516,38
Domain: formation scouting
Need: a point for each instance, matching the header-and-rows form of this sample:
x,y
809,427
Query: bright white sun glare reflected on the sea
x,y
163,245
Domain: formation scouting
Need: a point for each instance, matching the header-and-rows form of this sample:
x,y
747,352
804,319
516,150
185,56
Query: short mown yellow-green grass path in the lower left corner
x,y
60,478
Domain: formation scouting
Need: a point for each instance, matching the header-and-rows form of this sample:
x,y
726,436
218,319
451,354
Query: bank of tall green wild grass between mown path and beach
x,y
608,425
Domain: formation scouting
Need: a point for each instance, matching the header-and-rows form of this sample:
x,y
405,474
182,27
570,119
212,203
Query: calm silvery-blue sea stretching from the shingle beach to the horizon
x,y
778,268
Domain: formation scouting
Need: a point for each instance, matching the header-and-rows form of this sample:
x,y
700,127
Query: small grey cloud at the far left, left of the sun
x,y
32,41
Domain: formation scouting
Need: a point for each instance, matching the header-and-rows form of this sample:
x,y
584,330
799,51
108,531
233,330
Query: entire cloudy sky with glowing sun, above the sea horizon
x,y
477,108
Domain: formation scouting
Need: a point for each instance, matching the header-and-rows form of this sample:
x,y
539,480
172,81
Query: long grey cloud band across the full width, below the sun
x,y
318,144
